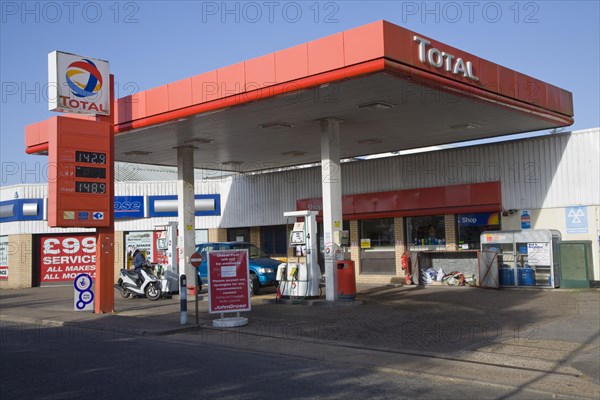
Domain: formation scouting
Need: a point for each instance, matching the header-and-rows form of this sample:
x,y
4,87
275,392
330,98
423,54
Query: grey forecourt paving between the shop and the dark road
x,y
554,333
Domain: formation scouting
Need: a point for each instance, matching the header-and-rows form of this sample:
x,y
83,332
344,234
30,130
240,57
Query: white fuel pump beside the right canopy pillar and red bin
x,y
299,280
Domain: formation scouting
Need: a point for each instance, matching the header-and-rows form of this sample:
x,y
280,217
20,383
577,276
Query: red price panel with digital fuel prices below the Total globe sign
x,y
79,192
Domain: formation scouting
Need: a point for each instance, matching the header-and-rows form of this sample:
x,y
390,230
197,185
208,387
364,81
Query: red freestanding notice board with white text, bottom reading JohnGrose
x,y
229,289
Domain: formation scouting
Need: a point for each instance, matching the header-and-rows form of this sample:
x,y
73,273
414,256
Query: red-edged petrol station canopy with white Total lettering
x,y
392,89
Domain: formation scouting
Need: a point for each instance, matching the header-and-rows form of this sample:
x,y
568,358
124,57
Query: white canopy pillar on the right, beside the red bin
x,y
331,174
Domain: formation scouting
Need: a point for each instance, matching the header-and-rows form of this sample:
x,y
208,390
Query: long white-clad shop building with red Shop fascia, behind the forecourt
x,y
436,201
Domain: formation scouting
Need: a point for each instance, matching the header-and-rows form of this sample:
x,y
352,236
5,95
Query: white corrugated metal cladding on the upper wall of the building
x,y
542,172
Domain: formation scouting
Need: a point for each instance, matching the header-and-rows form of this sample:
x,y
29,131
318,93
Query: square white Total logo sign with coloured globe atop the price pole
x,y
78,84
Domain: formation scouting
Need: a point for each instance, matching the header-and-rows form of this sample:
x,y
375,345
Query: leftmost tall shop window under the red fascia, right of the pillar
x,y
377,246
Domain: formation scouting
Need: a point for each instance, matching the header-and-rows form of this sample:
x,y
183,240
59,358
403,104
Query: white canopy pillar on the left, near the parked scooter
x,y
186,245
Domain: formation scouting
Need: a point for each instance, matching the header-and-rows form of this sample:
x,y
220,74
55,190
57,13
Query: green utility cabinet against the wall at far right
x,y
576,267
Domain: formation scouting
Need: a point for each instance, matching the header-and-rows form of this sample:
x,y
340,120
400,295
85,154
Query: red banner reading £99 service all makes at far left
x,y
64,257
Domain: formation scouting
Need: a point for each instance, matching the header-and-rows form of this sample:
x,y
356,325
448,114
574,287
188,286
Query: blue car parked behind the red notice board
x,y
262,268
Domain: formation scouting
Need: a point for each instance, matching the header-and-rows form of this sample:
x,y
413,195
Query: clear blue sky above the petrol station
x,y
150,43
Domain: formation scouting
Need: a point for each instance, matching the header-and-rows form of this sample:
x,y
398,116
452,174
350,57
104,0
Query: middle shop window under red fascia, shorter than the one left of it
x,y
426,233
